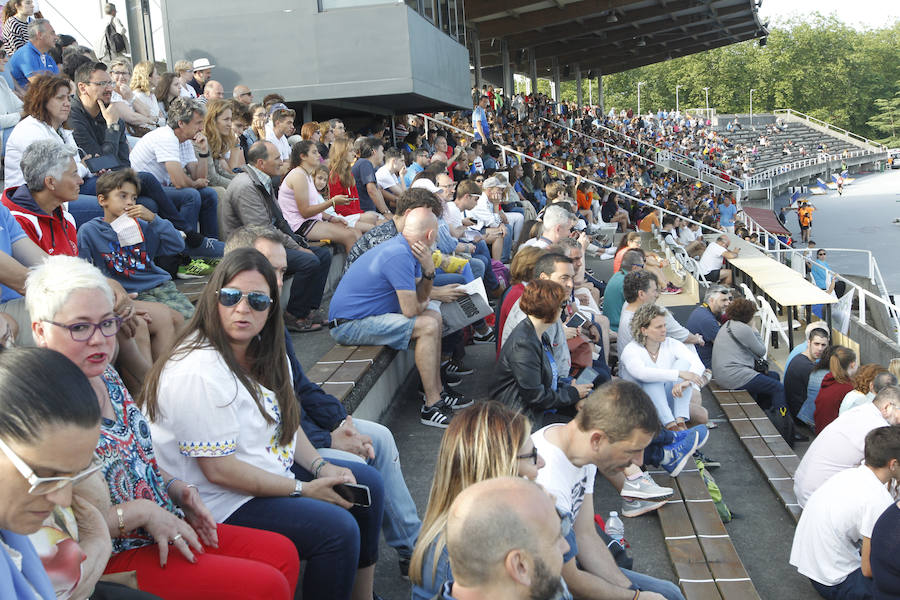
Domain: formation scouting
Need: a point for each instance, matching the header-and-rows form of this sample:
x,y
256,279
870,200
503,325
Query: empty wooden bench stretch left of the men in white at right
x,y
774,457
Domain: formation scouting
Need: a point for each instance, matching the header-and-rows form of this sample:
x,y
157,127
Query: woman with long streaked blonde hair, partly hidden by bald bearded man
x,y
484,441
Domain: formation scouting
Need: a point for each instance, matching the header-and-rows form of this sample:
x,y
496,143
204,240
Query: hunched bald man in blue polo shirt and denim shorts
x,y
383,299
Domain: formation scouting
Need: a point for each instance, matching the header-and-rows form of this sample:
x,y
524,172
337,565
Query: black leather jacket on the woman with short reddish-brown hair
x,y
524,378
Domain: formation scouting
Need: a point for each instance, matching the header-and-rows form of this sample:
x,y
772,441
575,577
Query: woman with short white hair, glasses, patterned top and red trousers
x,y
159,526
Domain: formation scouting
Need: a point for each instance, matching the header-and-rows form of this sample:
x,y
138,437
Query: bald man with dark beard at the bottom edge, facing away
x,y
506,541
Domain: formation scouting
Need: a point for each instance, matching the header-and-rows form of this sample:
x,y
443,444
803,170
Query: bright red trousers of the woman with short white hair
x,y
249,563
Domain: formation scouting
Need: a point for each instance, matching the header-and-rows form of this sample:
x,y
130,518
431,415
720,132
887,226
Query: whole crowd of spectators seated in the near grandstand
x,y
206,459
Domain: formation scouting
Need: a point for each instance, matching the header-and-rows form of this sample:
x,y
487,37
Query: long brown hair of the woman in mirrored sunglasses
x,y
266,354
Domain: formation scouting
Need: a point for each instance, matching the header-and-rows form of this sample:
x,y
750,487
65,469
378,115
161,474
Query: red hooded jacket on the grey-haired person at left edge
x,y
54,233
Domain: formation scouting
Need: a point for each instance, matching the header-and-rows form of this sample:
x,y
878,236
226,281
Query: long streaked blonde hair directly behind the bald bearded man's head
x,y
481,442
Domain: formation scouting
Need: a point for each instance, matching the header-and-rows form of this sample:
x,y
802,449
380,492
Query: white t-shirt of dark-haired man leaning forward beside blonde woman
x,y
559,477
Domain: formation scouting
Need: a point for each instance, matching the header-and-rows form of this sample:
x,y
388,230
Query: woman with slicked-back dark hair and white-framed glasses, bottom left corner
x,y
48,431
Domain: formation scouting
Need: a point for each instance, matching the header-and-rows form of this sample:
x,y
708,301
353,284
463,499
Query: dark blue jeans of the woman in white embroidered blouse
x,y
336,542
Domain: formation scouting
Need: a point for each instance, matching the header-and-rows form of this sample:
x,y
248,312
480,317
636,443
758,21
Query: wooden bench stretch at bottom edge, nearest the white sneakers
x,y
705,561
